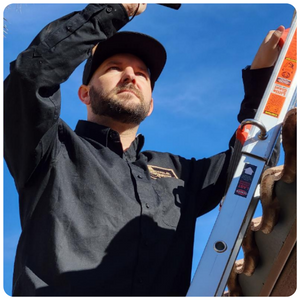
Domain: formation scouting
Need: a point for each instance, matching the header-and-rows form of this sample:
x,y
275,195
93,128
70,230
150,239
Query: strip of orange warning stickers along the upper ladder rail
x,y
284,80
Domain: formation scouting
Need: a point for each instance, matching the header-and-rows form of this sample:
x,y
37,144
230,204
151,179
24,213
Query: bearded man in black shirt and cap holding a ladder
x,y
100,217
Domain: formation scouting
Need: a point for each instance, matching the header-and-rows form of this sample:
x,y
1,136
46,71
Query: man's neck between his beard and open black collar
x,y
127,132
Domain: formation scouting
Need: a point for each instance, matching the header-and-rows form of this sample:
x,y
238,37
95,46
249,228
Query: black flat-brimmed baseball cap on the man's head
x,y
148,49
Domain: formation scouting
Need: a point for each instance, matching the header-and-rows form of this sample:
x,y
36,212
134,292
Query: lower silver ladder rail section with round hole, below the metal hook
x,y
214,267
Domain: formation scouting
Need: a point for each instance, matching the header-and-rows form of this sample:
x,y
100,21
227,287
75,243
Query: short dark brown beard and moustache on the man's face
x,y
115,105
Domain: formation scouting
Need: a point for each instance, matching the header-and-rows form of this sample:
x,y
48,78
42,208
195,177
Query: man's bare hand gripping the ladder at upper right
x,y
269,50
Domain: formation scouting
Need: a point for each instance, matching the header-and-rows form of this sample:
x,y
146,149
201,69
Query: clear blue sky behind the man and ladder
x,y
196,99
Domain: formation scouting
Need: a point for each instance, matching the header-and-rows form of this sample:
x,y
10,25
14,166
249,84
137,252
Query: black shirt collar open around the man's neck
x,y
109,138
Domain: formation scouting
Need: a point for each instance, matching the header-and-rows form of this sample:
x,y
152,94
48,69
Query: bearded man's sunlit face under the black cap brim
x,y
121,89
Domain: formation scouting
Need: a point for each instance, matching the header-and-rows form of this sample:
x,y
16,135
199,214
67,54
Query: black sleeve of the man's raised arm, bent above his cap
x,y
32,90
